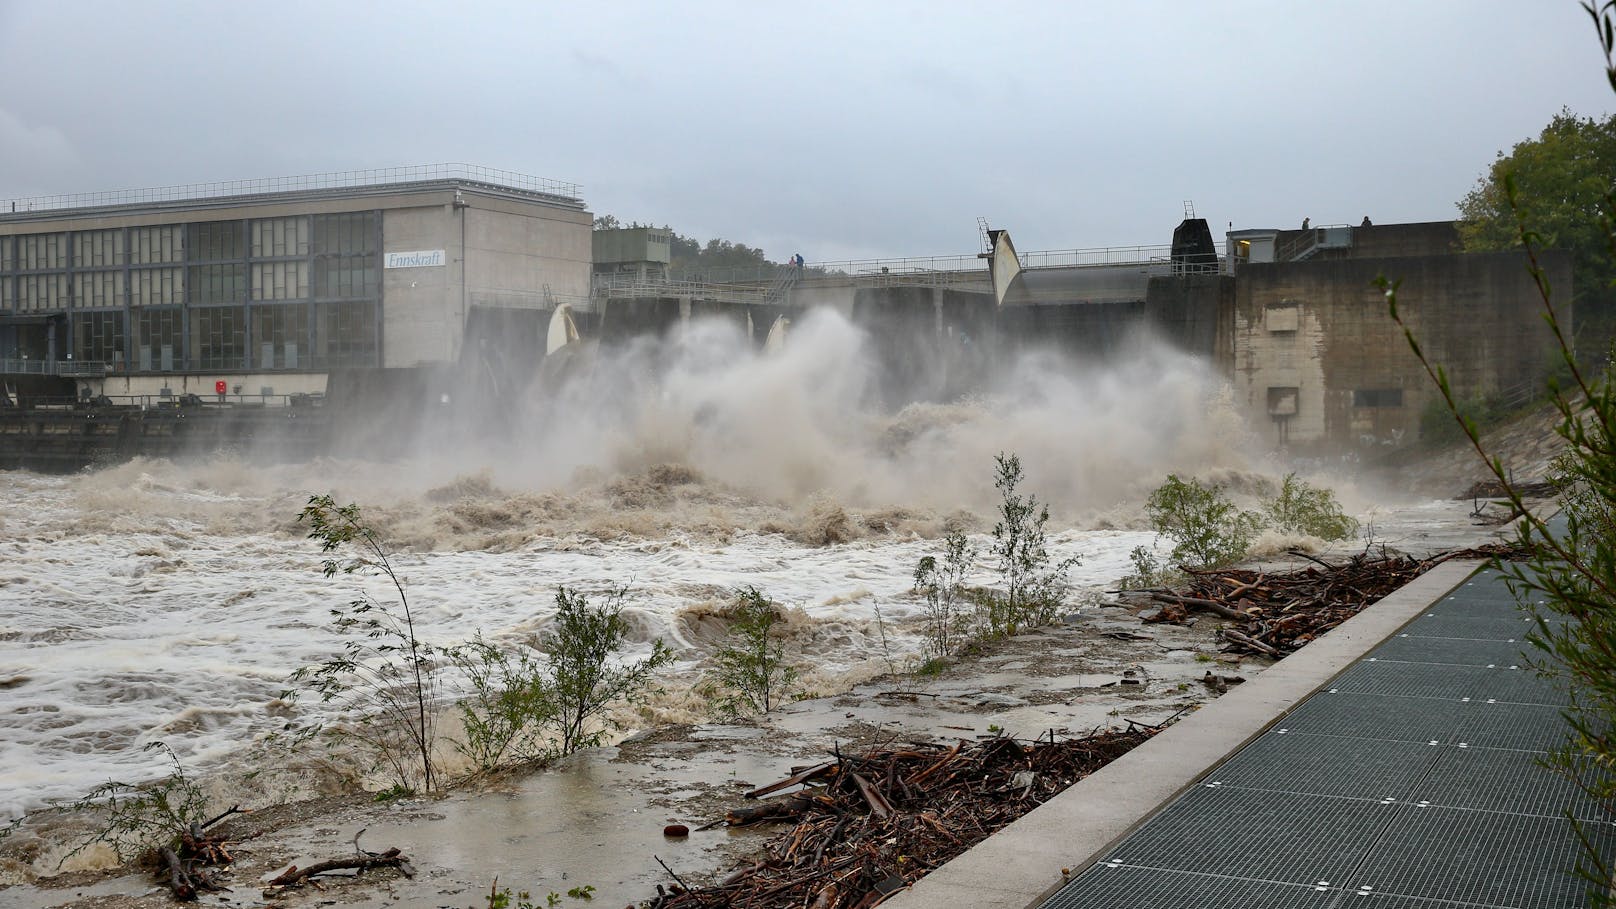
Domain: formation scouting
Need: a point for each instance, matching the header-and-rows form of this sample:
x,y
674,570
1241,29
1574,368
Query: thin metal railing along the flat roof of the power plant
x,y
309,182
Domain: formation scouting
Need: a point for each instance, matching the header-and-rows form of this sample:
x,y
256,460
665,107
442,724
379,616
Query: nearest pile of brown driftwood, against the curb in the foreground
x,y
870,826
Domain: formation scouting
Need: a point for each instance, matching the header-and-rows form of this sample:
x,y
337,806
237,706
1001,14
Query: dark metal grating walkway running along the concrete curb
x,y
1412,780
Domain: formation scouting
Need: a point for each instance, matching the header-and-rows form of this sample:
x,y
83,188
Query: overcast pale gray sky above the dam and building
x,y
838,130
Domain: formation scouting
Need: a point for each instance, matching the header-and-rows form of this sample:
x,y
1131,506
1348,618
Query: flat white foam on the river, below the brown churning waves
x,y
166,628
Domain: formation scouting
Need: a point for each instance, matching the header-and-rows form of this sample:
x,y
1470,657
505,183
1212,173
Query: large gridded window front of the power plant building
x,y
298,292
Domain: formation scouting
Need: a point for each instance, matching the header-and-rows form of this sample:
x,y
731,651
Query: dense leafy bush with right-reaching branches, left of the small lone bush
x,y
584,680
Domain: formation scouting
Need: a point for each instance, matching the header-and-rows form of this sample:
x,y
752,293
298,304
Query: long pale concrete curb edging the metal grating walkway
x,y
1022,865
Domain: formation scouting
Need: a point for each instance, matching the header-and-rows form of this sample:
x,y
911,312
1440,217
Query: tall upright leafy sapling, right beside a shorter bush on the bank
x,y
1033,588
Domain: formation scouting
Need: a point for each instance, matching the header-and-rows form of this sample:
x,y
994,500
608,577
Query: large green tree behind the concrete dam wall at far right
x,y
1560,182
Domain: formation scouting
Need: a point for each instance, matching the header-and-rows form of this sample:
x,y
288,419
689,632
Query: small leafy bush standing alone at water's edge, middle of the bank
x,y
751,674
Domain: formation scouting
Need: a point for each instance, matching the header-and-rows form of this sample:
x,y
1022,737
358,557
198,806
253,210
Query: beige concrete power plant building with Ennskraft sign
x,y
267,287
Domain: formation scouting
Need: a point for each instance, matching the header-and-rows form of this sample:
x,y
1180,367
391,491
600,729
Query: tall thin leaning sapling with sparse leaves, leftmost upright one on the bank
x,y
385,680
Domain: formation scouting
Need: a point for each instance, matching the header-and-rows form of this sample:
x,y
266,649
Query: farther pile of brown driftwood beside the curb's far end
x,y
1276,614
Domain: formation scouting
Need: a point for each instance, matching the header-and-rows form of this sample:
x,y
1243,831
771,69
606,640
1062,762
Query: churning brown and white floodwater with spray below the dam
x,y
159,602
